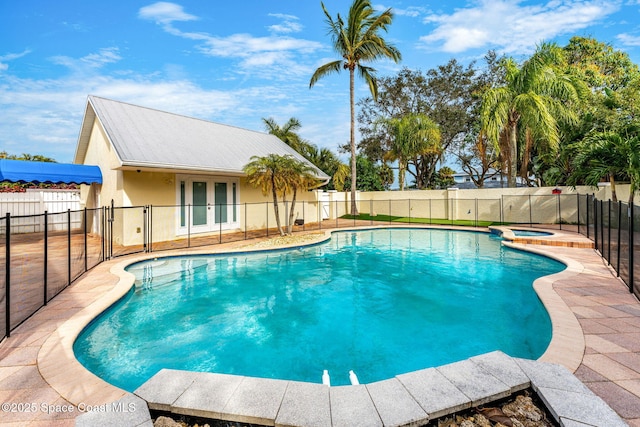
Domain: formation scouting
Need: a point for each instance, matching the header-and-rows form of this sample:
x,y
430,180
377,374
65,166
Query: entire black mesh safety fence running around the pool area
x,y
43,254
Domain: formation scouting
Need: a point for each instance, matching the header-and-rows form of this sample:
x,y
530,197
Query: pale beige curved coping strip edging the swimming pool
x,y
564,348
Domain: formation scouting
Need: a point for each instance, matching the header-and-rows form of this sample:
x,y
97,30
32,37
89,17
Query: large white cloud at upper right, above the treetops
x,y
510,26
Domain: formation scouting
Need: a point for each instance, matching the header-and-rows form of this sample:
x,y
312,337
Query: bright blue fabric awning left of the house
x,y
49,173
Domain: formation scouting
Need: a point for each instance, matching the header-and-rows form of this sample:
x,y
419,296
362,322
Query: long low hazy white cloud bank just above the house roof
x,y
43,116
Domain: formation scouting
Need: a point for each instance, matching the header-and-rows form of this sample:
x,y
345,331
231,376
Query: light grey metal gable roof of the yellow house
x,y
147,138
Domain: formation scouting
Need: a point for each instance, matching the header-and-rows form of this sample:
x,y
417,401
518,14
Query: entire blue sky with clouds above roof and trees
x,y
235,62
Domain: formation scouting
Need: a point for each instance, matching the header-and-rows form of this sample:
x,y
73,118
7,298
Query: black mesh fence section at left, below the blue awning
x,y
41,256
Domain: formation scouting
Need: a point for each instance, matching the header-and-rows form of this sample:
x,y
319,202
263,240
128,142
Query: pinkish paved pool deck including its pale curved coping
x,y
40,376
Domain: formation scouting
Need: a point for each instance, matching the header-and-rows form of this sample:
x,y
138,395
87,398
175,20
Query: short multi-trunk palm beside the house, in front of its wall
x,y
280,175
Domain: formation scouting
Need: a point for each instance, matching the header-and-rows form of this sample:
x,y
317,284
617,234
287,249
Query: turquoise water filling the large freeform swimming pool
x,y
380,302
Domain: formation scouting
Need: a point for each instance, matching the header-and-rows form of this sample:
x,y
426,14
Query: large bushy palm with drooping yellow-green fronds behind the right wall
x,y
536,97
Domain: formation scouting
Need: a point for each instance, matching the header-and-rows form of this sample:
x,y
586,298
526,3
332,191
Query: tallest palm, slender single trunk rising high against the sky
x,y
357,41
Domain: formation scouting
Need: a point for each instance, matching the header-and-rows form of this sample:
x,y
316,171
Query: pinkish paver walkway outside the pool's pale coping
x,y
608,314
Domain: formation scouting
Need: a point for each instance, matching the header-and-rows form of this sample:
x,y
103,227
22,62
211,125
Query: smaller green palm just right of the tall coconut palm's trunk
x,y
411,136
